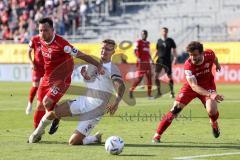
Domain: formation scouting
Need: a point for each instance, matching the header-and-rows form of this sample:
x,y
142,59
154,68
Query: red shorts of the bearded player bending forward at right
x,y
186,94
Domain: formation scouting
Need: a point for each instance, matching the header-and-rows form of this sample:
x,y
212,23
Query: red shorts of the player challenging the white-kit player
x,y
54,92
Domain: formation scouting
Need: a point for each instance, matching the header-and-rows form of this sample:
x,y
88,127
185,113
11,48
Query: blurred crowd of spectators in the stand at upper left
x,y
18,17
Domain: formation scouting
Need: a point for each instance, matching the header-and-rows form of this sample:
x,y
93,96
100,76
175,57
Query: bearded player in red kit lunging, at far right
x,y
199,84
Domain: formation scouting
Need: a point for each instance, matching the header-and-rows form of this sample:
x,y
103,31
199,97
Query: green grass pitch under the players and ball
x,y
189,135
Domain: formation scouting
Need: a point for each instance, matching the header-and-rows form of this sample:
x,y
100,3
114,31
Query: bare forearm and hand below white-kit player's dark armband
x,y
120,89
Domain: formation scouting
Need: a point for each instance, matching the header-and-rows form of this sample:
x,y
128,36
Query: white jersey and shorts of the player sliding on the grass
x,y
91,107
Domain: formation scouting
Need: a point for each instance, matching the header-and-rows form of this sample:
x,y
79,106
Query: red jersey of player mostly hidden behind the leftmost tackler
x,y
35,44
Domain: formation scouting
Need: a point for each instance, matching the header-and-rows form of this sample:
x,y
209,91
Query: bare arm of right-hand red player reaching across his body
x,y
195,87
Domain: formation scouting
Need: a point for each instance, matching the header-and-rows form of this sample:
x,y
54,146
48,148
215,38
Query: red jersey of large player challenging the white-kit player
x,y
58,61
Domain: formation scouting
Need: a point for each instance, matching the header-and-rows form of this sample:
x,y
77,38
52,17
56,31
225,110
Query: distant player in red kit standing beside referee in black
x,y
142,52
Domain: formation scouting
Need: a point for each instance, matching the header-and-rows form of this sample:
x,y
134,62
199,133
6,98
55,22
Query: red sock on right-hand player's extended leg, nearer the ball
x,y
166,121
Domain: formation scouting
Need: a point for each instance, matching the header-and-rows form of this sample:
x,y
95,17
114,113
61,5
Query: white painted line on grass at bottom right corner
x,y
207,155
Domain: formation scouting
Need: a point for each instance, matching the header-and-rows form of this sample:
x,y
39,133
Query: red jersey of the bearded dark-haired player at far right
x,y
203,72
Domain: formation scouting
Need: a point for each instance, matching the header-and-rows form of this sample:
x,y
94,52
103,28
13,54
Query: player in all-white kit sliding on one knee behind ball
x,y
89,108
